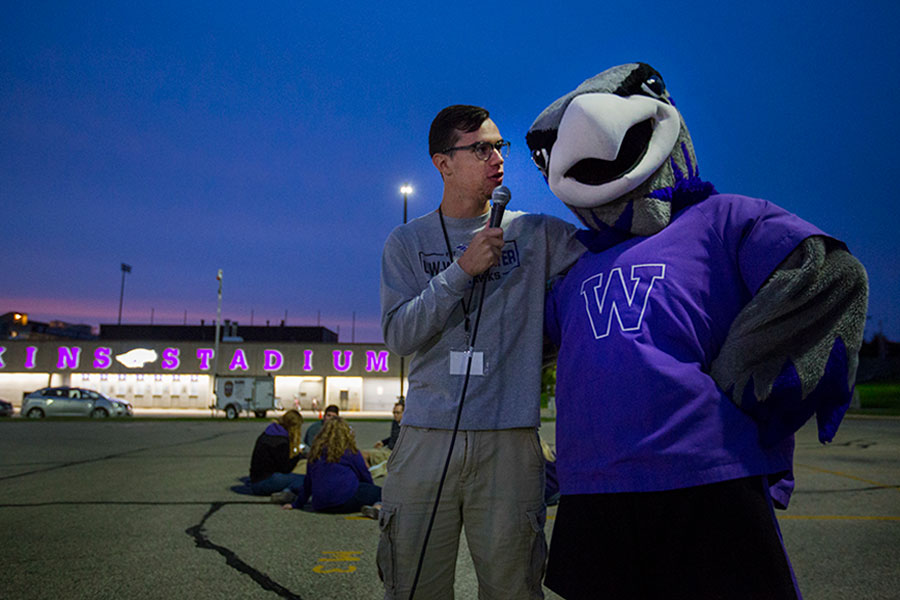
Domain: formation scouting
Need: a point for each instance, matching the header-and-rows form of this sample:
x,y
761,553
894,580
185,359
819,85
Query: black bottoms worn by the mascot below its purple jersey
x,y
712,541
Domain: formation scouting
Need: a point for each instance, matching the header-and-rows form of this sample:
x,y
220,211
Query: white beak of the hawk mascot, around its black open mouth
x,y
594,126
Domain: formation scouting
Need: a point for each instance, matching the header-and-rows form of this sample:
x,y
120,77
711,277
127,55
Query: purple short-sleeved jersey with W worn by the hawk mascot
x,y
644,317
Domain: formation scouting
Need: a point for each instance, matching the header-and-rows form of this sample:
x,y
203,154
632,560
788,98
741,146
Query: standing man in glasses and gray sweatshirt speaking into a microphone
x,y
433,270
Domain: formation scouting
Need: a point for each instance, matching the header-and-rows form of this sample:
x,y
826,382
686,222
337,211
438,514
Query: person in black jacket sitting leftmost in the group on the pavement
x,y
276,454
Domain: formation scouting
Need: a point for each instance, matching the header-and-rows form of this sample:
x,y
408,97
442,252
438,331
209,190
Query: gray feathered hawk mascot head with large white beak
x,y
617,152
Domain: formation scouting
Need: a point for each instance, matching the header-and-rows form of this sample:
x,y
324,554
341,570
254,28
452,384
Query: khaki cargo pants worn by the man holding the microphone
x,y
494,489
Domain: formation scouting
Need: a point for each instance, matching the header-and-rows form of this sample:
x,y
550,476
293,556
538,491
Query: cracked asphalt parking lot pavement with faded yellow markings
x,y
144,509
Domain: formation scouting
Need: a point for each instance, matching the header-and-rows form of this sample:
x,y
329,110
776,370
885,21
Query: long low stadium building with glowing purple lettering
x,y
172,366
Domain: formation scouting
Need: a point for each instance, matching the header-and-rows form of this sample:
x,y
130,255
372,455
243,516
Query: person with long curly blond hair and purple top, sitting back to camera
x,y
337,478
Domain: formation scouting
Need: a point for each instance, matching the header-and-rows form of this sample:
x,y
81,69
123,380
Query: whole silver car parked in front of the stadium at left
x,y
72,402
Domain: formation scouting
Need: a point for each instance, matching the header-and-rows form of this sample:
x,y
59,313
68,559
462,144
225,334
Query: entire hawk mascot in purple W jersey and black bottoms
x,y
696,334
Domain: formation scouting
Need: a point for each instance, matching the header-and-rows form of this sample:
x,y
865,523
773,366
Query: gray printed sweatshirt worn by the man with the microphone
x,y
421,289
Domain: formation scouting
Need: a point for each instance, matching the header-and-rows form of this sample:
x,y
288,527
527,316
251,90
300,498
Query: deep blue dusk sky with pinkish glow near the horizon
x,y
270,139
